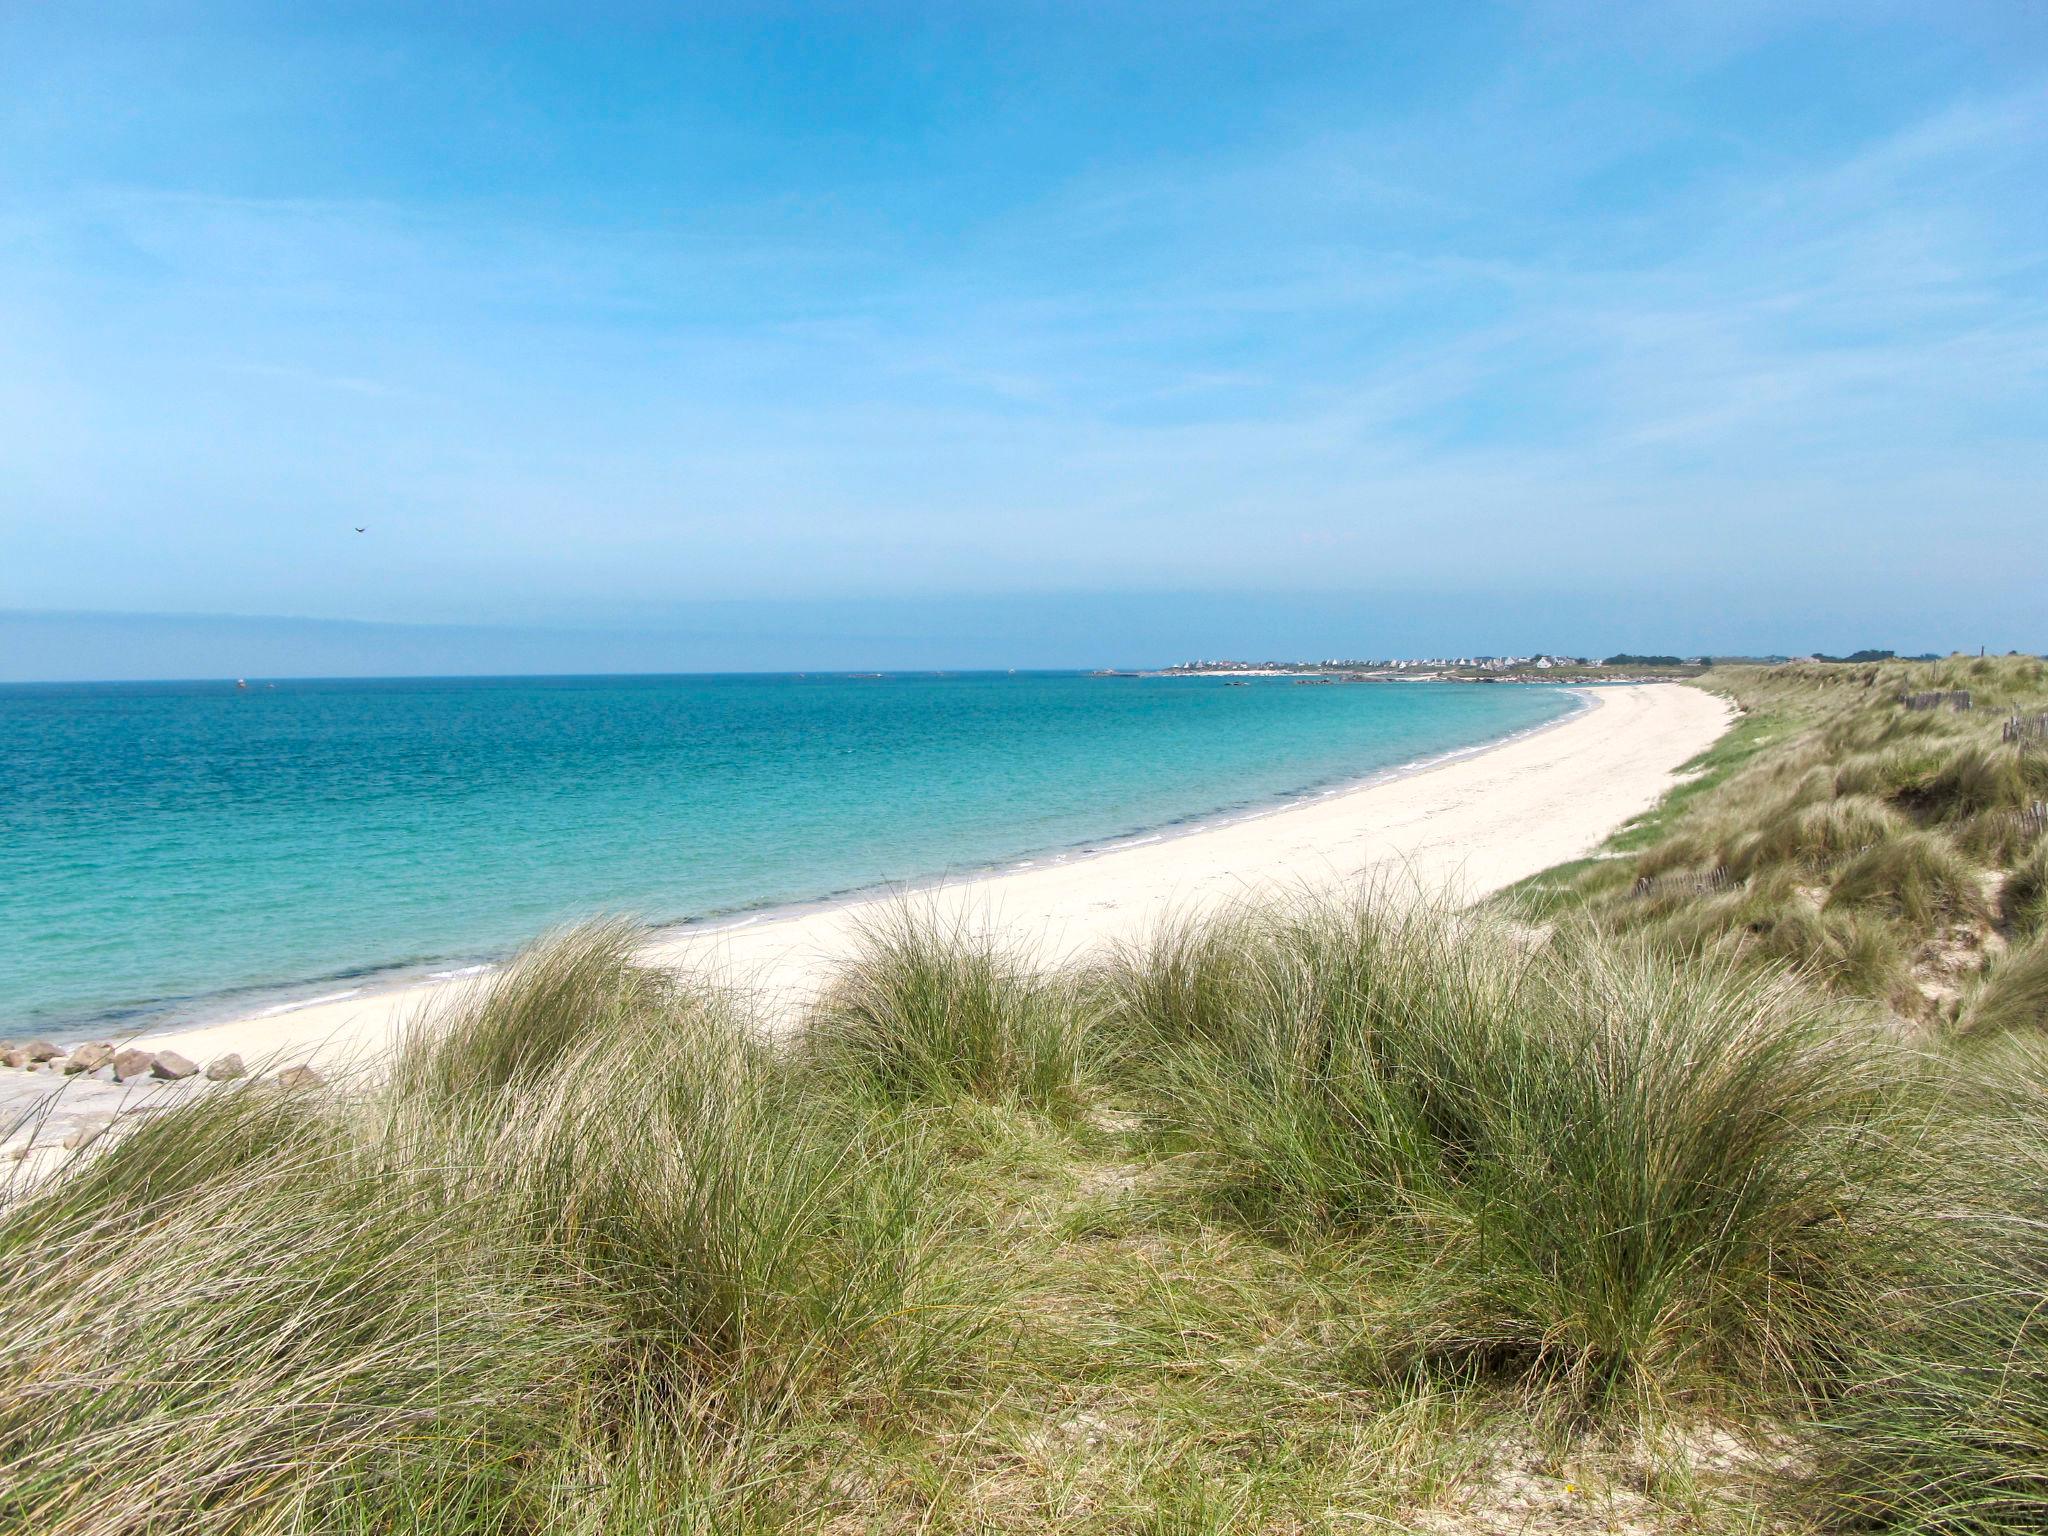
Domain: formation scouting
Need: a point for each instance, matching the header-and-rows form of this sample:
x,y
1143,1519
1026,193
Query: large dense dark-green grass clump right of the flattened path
x,y
1603,1175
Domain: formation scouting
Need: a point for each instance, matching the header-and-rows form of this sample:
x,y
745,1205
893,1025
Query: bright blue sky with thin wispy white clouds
x,y
1418,321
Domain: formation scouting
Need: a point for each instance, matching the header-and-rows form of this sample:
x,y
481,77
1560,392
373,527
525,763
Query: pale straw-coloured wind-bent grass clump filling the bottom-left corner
x,y
261,1336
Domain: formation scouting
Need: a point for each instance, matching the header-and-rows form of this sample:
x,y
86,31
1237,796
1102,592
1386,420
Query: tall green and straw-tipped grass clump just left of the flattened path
x,y
753,1240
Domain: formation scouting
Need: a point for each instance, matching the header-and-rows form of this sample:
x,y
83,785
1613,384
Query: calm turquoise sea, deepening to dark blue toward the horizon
x,y
171,851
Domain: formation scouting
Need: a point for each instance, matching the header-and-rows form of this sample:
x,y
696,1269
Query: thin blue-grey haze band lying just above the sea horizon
x,y
769,638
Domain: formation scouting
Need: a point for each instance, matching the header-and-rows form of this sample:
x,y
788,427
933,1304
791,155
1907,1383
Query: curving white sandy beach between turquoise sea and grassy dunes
x,y
1474,824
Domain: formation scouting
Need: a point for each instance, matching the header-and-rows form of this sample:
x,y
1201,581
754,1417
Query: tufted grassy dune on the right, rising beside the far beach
x,y
1891,853
